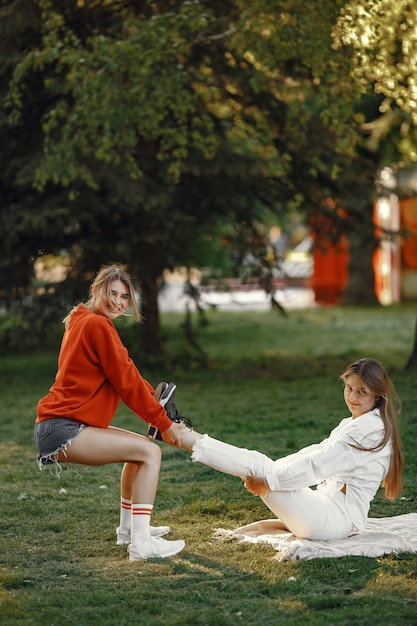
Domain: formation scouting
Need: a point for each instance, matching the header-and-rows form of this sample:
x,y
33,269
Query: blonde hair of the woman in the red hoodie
x,y
102,282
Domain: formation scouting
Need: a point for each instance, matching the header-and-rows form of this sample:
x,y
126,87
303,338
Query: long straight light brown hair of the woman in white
x,y
374,376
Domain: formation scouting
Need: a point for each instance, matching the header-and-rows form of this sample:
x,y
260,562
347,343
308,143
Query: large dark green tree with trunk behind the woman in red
x,y
150,123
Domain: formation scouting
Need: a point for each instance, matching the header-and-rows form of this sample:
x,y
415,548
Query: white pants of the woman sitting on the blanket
x,y
307,513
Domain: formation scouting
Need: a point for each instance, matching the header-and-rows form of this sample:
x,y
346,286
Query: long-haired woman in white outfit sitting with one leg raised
x,y
348,467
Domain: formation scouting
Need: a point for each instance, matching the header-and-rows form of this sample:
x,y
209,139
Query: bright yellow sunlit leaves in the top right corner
x,y
383,37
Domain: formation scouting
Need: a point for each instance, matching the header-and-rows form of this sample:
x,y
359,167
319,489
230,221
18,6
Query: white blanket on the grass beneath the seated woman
x,y
382,536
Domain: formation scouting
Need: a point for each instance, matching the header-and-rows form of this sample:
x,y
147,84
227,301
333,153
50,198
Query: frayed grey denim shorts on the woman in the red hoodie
x,y
53,436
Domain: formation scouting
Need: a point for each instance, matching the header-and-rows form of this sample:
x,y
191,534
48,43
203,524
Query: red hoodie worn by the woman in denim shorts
x,y
94,373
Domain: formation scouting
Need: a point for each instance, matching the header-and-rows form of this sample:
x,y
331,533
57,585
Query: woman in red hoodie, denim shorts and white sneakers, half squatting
x,y
73,420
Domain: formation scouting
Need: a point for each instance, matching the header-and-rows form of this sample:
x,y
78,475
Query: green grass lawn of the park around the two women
x,y
273,385
